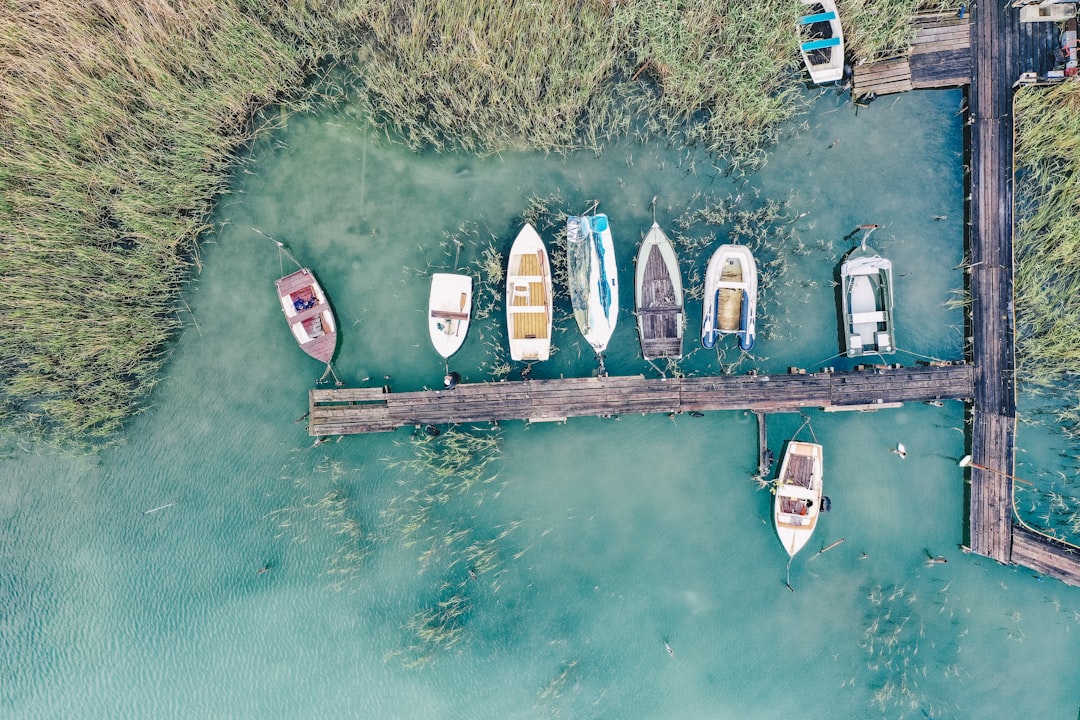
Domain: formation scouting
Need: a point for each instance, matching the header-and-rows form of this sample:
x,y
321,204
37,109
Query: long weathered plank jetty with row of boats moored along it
x,y
373,410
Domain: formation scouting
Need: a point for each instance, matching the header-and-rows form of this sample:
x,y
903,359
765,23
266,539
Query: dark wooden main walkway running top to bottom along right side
x,y
1003,49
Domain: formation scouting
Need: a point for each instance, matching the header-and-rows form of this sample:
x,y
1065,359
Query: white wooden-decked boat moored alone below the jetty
x,y
798,504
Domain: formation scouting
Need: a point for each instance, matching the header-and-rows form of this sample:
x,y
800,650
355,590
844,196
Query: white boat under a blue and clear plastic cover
x,y
593,278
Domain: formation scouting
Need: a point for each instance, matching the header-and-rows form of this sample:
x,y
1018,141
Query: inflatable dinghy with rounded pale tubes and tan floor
x,y
731,301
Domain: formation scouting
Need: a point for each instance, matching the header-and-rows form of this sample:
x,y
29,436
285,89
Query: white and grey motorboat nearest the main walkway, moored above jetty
x,y
867,302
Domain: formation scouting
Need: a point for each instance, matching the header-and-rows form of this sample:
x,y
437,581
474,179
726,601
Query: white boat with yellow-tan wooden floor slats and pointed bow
x,y
529,297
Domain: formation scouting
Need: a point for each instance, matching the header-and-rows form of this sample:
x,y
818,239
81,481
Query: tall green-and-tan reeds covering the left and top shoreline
x,y
121,120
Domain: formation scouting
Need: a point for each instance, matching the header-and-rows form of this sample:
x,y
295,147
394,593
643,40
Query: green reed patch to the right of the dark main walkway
x,y
1047,242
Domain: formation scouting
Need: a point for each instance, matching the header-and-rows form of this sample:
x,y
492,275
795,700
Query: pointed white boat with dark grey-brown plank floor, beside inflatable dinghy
x,y
658,297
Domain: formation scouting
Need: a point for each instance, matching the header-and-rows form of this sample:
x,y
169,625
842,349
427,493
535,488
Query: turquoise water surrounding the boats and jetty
x,y
593,542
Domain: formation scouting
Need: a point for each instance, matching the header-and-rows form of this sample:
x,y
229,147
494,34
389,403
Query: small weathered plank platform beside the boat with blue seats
x,y
940,58
